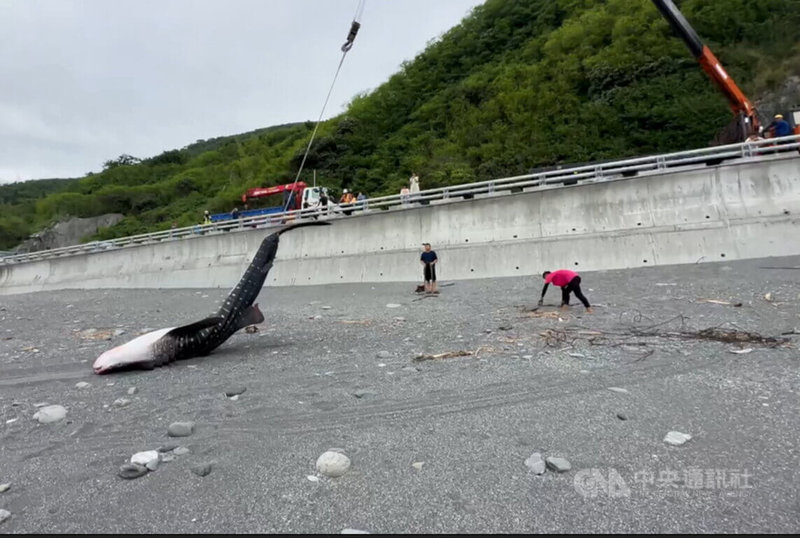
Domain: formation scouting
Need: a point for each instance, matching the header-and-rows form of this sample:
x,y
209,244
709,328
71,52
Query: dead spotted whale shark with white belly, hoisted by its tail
x,y
200,338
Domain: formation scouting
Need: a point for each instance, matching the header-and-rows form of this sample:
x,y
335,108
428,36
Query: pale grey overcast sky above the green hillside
x,y
84,81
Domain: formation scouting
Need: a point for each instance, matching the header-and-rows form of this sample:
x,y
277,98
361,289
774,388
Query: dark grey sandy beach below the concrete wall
x,y
436,445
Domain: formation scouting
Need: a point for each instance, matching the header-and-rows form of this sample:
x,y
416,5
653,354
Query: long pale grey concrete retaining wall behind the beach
x,y
735,211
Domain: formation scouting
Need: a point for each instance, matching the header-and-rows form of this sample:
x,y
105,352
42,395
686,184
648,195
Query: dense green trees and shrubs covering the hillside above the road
x,y
517,85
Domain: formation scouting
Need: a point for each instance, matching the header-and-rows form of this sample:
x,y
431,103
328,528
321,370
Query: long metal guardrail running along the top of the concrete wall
x,y
580,174
